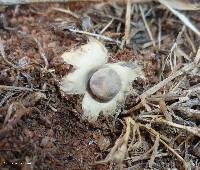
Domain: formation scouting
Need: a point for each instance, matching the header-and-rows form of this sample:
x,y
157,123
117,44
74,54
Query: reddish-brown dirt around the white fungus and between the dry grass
x,y
45,127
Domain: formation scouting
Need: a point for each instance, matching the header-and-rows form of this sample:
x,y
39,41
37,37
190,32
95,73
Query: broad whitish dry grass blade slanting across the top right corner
x,y
182,17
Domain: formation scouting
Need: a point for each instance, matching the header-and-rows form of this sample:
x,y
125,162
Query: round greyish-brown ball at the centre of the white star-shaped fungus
x,y
105,84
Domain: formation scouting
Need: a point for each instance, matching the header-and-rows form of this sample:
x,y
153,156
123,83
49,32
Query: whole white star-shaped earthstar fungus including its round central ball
x,y
104,85
